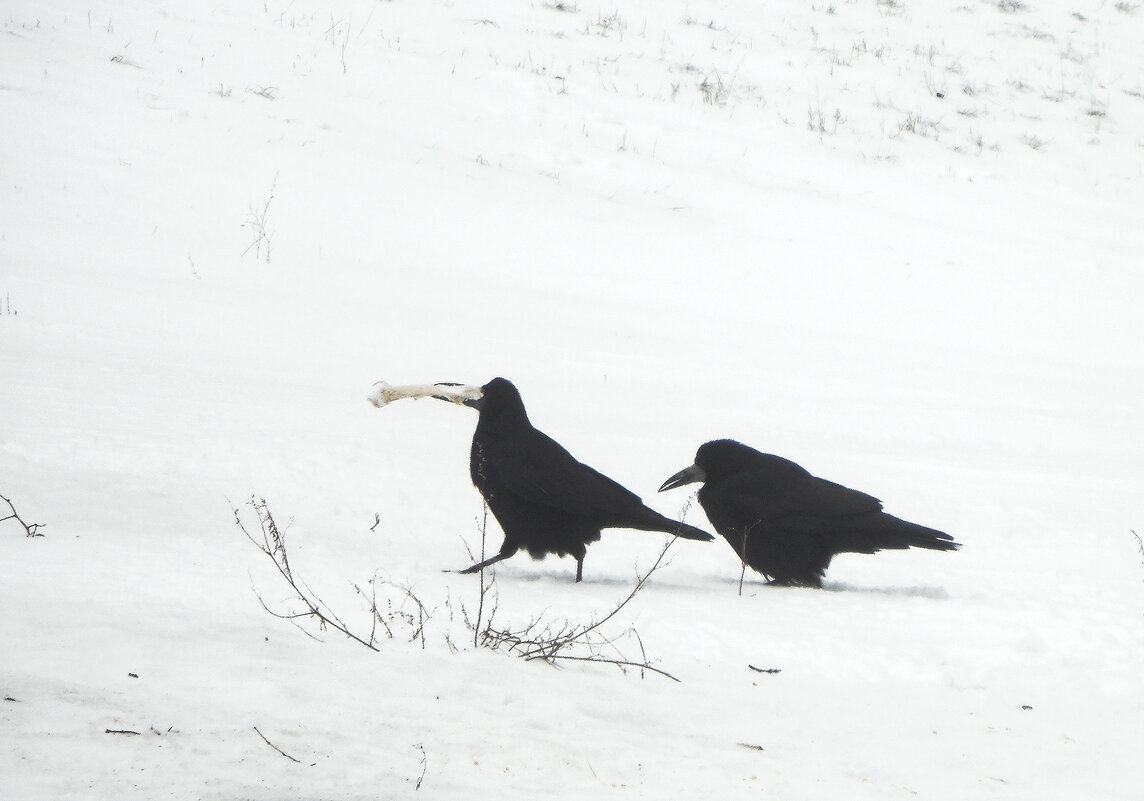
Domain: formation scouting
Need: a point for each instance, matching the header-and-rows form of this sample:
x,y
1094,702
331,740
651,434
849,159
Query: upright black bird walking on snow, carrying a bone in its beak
x,y
545,501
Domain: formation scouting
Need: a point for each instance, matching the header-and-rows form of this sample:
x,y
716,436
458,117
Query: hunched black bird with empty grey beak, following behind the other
x,y
789,525
